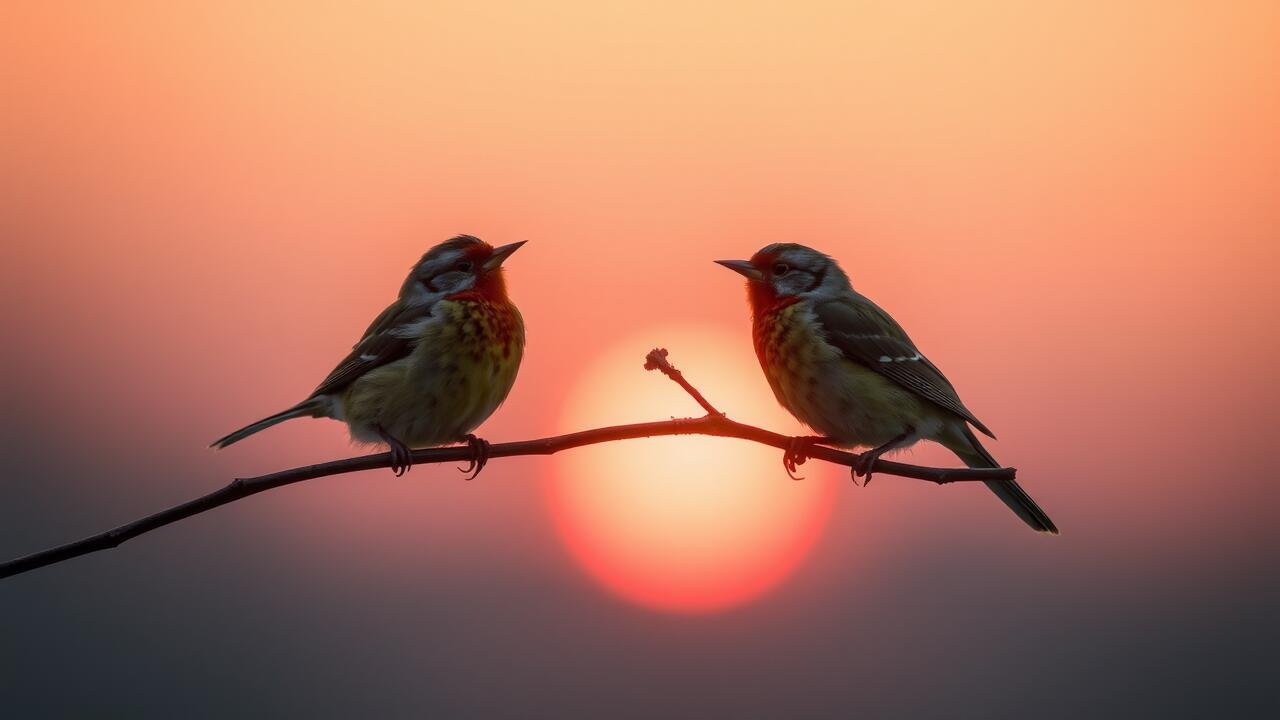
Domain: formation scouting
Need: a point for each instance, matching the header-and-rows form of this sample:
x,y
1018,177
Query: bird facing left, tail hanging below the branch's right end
x,y
844,367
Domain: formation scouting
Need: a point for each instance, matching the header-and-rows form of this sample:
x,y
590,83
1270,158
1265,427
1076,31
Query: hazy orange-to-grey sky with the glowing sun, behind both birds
x,y
1072,207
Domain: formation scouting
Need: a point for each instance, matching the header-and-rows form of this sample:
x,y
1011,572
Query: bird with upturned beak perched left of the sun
x,y
433,366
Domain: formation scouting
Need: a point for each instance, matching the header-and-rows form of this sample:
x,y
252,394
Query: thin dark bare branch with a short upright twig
x,y
715,423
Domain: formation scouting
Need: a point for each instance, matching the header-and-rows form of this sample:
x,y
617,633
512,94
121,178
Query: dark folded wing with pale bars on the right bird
x,y
868,336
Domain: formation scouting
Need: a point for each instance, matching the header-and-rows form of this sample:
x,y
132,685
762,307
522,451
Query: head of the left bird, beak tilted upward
x,y
460,265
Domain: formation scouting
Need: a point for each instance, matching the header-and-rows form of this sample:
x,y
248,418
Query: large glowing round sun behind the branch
x,y
687,525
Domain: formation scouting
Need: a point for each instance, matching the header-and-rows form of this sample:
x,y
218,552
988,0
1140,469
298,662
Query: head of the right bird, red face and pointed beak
x,y
787,272
